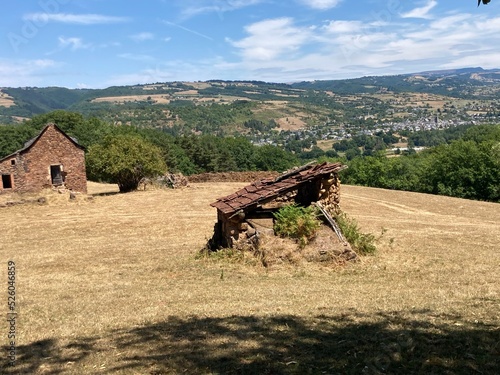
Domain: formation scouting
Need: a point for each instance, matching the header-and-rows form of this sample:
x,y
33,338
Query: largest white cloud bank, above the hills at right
x,y
279,50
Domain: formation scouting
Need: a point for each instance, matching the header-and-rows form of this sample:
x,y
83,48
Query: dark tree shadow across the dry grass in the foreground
x,y
387,343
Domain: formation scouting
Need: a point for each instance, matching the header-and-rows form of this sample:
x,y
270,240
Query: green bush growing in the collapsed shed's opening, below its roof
x,y
300,223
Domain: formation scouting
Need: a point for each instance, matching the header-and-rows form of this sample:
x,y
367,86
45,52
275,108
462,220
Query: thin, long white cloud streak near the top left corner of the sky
x,y
79,19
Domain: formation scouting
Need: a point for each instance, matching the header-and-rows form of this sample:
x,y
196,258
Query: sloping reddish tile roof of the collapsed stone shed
x,y
263,191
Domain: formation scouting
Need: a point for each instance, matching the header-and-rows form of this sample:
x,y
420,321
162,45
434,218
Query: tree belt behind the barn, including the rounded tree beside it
x,y
137,150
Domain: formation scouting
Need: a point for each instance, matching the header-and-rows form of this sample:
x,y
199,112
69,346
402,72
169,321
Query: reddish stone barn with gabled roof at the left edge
x,y
51,160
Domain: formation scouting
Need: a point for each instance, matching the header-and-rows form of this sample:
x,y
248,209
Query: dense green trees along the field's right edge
x,y
467,167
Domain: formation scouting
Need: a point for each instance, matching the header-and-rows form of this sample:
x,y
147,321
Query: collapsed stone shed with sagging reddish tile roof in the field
x,y
242,216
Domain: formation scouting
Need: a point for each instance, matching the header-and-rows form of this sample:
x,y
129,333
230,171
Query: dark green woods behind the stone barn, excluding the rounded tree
x,y
187,154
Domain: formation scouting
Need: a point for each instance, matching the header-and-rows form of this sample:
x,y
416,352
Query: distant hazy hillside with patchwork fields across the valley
x,y
180,107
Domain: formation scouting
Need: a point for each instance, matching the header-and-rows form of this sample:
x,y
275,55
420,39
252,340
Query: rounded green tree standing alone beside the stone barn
x,y
124,159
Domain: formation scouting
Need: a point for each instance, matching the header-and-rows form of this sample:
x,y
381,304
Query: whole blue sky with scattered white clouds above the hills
x,y
100,43
